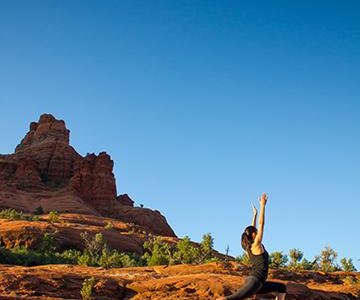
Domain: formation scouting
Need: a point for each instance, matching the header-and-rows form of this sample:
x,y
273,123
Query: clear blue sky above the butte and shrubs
x,y
202,105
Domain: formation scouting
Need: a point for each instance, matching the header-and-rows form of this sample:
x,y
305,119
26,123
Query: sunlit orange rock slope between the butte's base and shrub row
x,y
122,236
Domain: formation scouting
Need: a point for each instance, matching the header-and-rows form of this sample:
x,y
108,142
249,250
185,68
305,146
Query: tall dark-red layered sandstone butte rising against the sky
x,y
45,170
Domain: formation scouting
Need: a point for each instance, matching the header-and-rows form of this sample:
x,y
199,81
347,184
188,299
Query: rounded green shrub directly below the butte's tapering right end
x,y
157,252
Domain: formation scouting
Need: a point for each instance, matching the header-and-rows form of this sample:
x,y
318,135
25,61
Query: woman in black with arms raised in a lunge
x,y
251,241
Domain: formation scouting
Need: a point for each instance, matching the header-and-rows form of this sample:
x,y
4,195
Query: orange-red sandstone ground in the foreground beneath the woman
x,y
182,282
